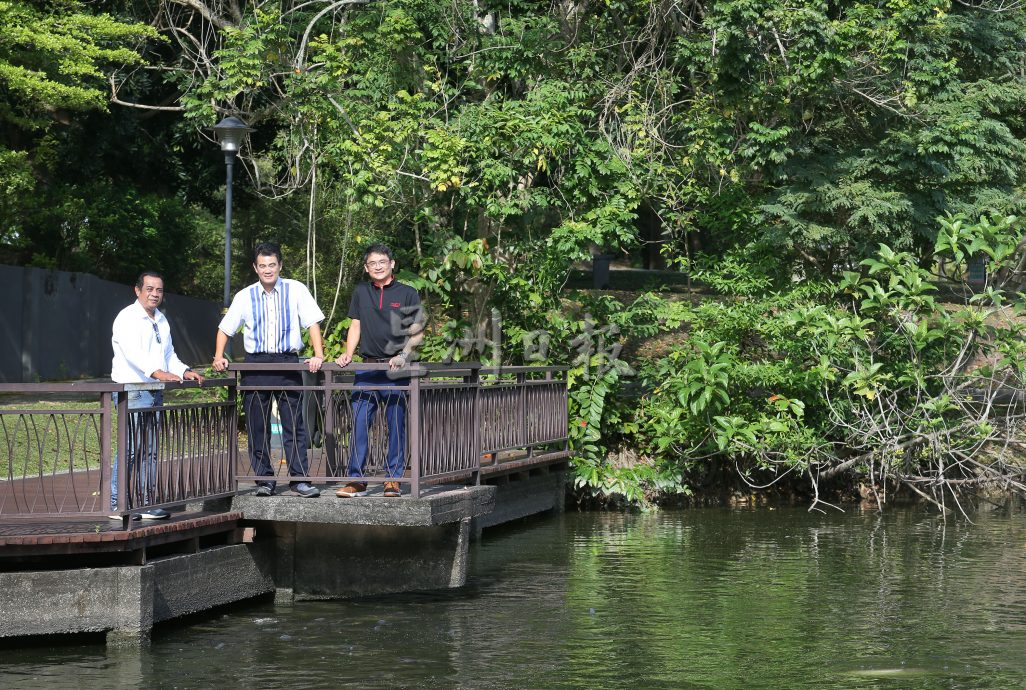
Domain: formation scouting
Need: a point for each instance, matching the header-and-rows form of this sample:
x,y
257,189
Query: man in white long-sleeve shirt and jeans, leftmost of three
x,y
144,354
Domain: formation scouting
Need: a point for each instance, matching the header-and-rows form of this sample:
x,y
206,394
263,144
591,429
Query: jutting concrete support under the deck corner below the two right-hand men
x,y
345,548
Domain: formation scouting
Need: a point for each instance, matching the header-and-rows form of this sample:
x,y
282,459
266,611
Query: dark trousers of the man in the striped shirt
x,y
258,409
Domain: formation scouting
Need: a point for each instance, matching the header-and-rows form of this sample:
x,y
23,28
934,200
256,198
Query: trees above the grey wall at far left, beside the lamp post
x,y
72,195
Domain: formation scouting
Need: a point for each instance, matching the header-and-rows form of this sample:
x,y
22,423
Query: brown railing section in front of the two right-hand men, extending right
x,y
462,421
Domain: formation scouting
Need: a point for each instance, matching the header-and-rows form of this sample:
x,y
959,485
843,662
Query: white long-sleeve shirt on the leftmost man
x,y
143,346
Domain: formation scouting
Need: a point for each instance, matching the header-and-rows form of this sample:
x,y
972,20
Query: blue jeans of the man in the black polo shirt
x,y
366,405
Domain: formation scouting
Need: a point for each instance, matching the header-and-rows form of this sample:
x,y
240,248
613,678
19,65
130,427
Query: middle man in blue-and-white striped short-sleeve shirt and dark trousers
x,y
273,312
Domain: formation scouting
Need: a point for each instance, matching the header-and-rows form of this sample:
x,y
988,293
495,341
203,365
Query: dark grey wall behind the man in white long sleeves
x,y
57,326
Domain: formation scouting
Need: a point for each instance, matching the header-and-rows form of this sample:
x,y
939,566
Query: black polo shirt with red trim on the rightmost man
x,y
386,316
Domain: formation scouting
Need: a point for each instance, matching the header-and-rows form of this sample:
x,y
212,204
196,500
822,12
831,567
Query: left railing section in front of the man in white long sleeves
x,y
58,442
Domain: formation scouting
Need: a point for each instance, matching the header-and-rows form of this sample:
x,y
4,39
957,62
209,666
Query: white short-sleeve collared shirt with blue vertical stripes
x,y
273,321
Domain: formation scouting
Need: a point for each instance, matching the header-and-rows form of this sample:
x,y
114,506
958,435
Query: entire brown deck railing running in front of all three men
x,y
58,441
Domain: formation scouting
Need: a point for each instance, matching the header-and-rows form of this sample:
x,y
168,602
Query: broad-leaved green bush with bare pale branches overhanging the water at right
x,y
877,377
